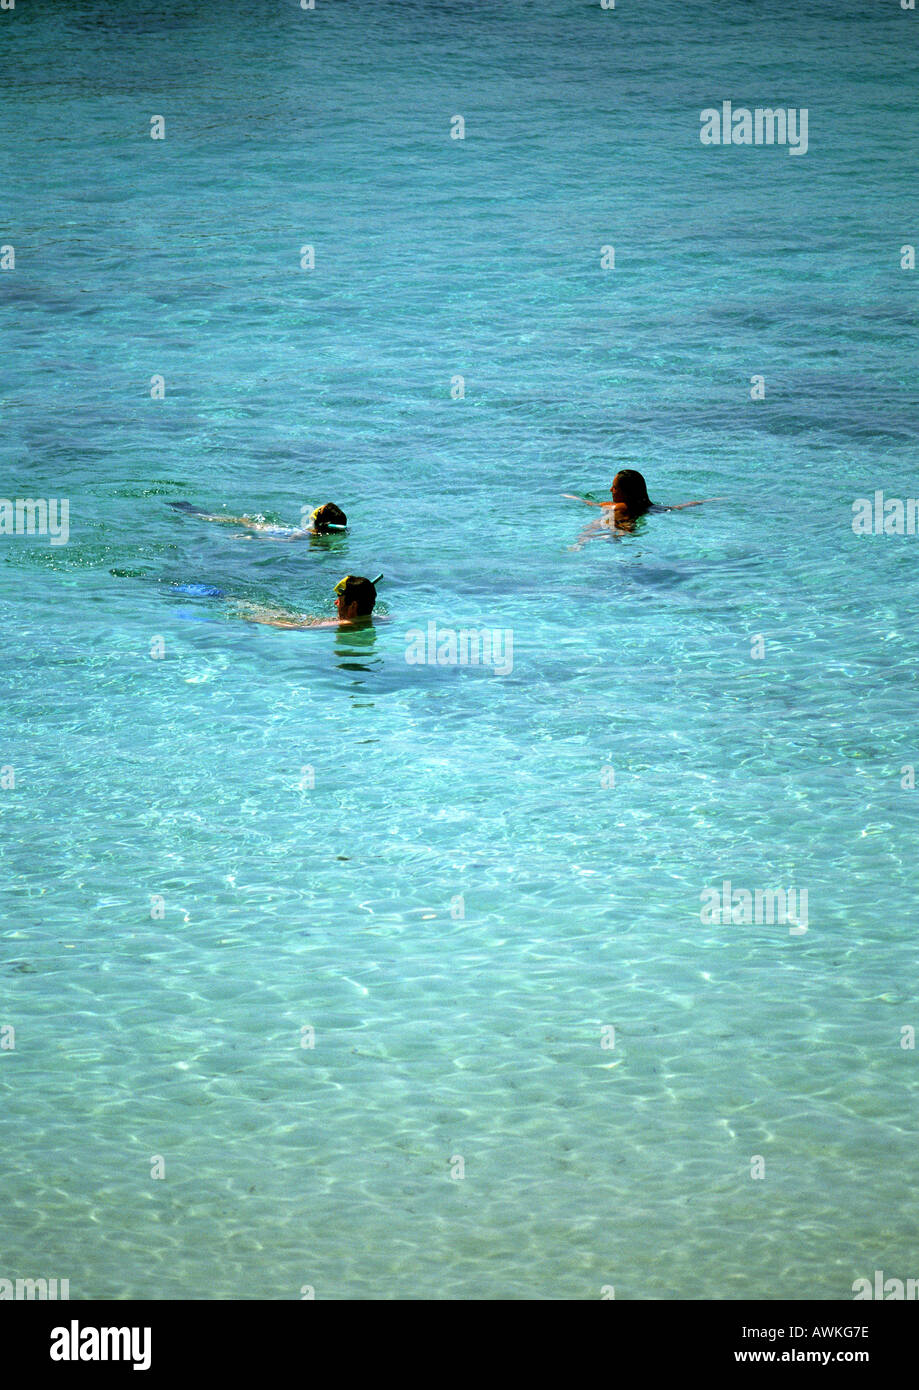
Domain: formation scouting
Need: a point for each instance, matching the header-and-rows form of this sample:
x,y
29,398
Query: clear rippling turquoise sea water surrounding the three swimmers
x,y
457,1029
